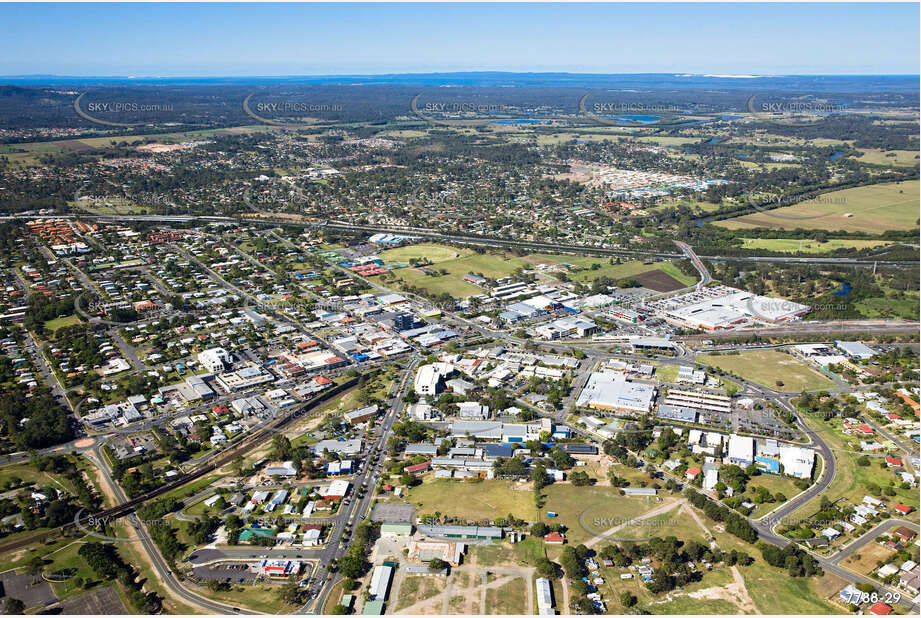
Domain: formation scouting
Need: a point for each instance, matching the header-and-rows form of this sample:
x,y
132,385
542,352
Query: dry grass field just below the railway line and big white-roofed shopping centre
x,y
767,366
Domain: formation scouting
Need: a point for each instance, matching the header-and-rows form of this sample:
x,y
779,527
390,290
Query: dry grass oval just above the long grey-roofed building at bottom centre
x,y
472,501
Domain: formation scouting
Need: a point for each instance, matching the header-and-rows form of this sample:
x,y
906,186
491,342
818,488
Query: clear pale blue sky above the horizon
x,y
186,40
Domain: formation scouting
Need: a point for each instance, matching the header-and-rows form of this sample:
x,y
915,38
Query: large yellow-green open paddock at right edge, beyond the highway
x,y
874,209
